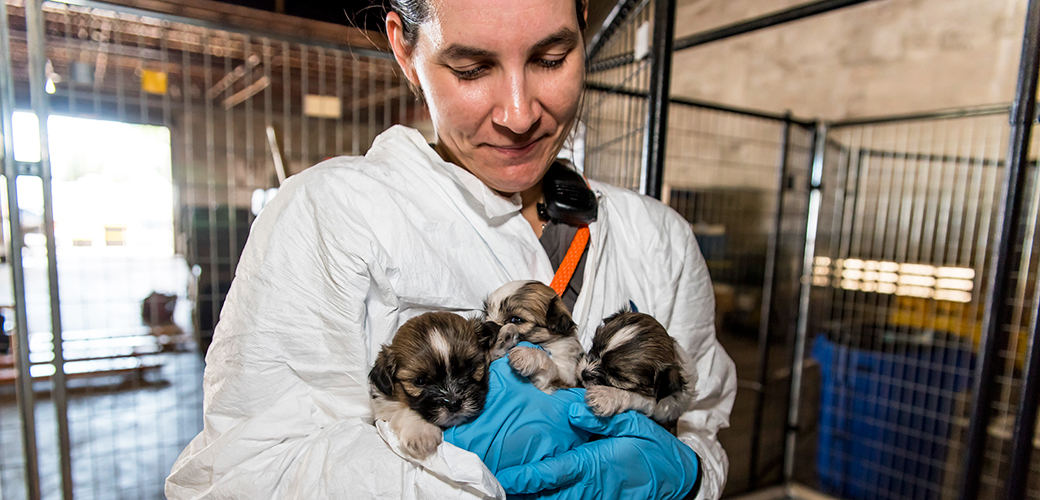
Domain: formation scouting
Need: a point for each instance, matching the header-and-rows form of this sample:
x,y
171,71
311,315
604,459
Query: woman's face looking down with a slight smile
x,y
503,80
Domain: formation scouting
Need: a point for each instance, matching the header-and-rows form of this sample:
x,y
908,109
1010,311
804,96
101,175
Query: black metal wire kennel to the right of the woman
x,y
880,274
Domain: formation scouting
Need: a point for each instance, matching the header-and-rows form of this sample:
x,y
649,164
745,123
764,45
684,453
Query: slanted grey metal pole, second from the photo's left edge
x,y
41,106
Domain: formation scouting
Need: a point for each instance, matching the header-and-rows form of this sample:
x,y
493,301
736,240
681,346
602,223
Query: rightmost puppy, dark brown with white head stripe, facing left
x,y
634,364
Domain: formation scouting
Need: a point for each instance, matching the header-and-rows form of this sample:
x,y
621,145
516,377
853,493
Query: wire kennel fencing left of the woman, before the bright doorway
x,y
119,271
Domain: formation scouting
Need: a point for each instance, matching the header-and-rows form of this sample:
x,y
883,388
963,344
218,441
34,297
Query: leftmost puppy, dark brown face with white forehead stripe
x,y
433,375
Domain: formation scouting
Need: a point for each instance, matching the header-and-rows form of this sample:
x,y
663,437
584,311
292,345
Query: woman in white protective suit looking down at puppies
x,y
353,248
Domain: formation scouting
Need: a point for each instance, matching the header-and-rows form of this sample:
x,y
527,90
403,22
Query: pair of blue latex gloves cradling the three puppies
x,y
539,446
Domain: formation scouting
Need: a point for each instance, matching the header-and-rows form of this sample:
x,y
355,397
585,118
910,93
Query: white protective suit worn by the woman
x,y
353,248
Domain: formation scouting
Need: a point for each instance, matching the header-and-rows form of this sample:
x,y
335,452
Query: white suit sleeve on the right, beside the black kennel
x,y
689,314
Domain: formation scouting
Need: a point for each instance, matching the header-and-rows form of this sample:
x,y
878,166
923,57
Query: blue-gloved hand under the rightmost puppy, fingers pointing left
x,y
636,460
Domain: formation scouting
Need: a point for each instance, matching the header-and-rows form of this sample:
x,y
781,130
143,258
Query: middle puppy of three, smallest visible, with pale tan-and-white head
x,y
531,311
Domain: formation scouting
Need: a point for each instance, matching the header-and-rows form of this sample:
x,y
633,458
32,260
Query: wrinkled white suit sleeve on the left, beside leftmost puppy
x,y
287,412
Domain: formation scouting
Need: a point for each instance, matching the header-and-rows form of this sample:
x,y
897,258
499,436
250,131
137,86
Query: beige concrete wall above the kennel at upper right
x,y
883,58
